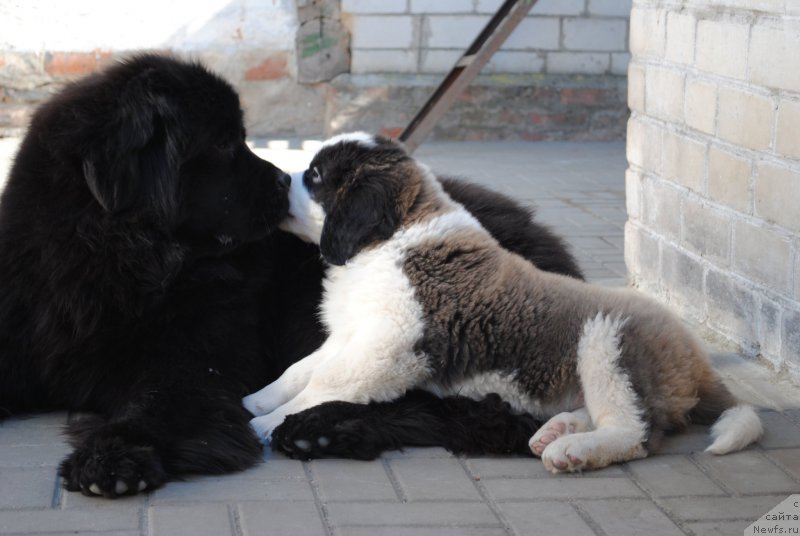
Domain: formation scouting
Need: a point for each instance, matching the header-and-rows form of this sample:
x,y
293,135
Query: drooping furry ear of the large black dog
x,y
135,166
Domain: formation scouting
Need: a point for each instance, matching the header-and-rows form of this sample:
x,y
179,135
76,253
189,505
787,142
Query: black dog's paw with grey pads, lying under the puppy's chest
x,y
325,431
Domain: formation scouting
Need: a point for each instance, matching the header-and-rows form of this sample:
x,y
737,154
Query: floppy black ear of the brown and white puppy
x,y
367,212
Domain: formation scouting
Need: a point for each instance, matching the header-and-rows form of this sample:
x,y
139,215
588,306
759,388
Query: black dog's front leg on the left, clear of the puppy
x,y
157,435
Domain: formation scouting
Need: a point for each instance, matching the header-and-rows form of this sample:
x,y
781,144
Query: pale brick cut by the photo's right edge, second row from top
x,y
771,50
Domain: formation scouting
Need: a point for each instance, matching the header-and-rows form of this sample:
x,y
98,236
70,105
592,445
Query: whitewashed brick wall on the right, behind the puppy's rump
x,y
714,179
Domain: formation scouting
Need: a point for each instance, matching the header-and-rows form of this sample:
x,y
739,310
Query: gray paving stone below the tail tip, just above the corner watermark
x,y
749,472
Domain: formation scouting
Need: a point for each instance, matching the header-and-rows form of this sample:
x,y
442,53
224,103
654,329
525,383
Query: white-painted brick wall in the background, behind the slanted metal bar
x,y
558,36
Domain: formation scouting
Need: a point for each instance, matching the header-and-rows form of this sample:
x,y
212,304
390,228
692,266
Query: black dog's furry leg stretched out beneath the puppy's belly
x,y
419,419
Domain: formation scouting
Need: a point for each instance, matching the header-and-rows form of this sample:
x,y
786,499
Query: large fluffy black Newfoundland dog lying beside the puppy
x,y
142,280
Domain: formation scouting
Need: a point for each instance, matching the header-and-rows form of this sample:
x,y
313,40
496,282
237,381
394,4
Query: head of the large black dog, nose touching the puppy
x,y
162,140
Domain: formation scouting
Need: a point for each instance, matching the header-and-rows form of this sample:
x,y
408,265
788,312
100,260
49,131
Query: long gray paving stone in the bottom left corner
x,y
47,521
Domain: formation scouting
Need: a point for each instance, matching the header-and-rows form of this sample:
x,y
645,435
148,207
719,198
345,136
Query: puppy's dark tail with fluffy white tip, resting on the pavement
x,y
735,425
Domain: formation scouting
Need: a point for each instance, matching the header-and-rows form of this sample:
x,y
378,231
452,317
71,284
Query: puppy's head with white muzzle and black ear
x,y
356,192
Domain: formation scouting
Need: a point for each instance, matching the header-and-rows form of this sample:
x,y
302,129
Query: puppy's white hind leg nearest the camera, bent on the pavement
x,y
611,403
